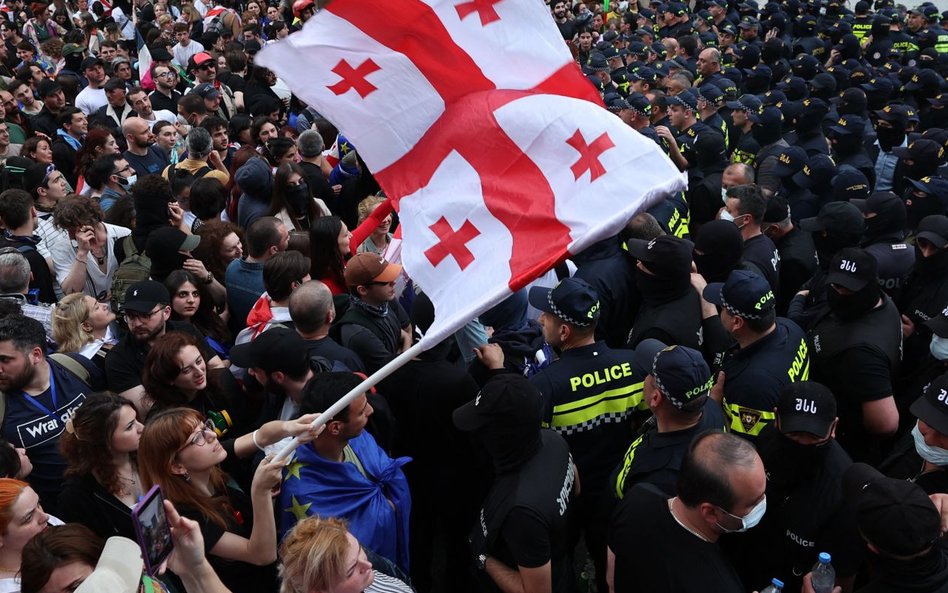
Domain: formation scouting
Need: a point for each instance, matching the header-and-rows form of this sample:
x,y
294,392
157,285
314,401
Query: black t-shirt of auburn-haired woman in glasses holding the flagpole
x,y
239,577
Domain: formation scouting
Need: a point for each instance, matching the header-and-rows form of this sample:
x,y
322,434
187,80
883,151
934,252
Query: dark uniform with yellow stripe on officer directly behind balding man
x,y
655,457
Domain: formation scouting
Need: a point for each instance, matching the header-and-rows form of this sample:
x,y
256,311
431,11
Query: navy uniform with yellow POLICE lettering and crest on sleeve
x,y
755,376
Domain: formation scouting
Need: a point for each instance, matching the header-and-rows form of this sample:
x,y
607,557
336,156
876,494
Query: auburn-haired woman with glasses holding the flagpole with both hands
x,y
181,453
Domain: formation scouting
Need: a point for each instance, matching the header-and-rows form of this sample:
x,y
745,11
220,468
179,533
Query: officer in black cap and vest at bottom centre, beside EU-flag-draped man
x,y
523,523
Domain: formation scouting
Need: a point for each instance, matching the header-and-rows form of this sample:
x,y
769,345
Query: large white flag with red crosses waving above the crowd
x,y
476,121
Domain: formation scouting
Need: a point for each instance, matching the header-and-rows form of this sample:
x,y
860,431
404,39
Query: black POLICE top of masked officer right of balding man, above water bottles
x,y
806,514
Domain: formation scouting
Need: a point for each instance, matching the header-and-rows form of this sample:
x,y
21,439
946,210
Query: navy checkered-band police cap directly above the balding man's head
x,y
683,377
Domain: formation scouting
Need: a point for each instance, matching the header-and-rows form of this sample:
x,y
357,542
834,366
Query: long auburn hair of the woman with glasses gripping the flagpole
x,y
166,433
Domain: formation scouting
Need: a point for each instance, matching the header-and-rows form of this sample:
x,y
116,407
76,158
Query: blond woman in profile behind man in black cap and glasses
x,y
83,324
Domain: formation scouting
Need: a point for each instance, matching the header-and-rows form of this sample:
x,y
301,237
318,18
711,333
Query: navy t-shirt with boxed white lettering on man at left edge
x,y
36,423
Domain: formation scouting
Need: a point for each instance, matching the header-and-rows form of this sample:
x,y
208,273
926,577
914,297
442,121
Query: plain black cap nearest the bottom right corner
x,y
895,515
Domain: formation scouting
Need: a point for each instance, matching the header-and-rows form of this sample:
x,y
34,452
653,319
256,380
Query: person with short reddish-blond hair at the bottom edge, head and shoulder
x,y
320,554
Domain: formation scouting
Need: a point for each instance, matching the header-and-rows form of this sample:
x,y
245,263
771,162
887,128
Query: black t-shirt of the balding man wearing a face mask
x,y
654,554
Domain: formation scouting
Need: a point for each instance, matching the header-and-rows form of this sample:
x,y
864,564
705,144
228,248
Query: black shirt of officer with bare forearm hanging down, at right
x,y
856,360
